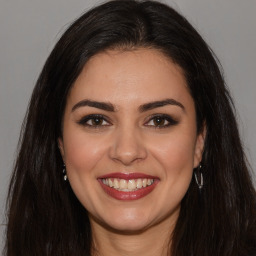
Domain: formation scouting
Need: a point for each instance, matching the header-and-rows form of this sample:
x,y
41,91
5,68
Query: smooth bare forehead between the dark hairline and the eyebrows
x,y
133,76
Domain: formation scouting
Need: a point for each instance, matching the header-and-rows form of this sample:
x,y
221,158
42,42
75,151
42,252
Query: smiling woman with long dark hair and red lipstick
x,y
130,145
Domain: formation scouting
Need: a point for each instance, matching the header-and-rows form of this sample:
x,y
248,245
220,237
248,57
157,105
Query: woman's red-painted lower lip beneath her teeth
x,y
132,195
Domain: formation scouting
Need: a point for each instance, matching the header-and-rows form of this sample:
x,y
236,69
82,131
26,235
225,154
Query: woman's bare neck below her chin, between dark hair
x,y
153,241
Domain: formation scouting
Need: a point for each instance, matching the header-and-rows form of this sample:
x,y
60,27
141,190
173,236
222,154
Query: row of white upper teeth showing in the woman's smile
x,y
127,185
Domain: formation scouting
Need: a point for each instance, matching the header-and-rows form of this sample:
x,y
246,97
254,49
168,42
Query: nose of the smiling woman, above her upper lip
x,y
128,147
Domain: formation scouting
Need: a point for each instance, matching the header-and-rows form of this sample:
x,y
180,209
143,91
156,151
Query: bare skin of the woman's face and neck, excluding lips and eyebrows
x,y
128,141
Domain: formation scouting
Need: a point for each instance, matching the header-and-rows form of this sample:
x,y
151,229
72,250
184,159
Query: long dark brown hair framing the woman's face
x,y
44,216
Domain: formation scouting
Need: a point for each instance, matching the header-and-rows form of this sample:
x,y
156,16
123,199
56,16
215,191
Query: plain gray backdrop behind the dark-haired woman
x,y
30,28
